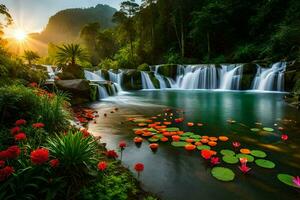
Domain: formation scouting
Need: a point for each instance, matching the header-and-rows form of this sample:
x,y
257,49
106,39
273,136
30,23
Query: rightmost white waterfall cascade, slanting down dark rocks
x,y
270,79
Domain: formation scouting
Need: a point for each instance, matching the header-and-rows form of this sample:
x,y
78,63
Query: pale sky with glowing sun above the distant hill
x,y
33,15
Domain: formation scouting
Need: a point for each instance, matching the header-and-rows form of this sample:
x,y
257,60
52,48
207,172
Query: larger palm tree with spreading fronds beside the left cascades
x,y
70,54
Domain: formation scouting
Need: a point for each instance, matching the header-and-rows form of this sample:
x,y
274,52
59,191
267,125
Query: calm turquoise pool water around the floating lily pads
x,y
176,174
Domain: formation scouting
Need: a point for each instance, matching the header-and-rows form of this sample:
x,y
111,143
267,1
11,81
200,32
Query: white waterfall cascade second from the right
x,y
230,77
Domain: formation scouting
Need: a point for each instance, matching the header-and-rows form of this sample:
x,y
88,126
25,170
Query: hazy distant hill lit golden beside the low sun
x,y
65,25
